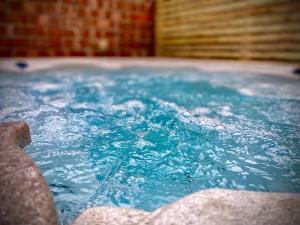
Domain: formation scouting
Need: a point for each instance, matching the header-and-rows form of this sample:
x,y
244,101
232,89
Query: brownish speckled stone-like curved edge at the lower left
x,y
24,195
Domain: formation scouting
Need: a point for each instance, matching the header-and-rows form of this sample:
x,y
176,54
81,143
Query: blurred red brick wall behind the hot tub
x,y
76,28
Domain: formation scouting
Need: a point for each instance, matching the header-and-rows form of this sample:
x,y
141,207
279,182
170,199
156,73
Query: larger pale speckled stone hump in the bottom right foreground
x,y
216,206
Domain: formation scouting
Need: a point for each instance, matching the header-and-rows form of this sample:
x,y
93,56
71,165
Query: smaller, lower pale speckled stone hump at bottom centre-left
x,y
110,216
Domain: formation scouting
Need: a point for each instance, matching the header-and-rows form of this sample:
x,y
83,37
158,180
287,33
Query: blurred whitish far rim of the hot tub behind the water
x,y
257,67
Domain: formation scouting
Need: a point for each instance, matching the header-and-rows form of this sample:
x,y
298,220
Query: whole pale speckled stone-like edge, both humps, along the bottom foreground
x,y
208,207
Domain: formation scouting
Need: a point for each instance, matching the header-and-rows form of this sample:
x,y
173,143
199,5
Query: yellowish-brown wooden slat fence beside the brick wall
x,y
236,29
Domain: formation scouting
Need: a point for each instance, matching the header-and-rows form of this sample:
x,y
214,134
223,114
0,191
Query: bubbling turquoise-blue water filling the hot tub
x,y
141,138
